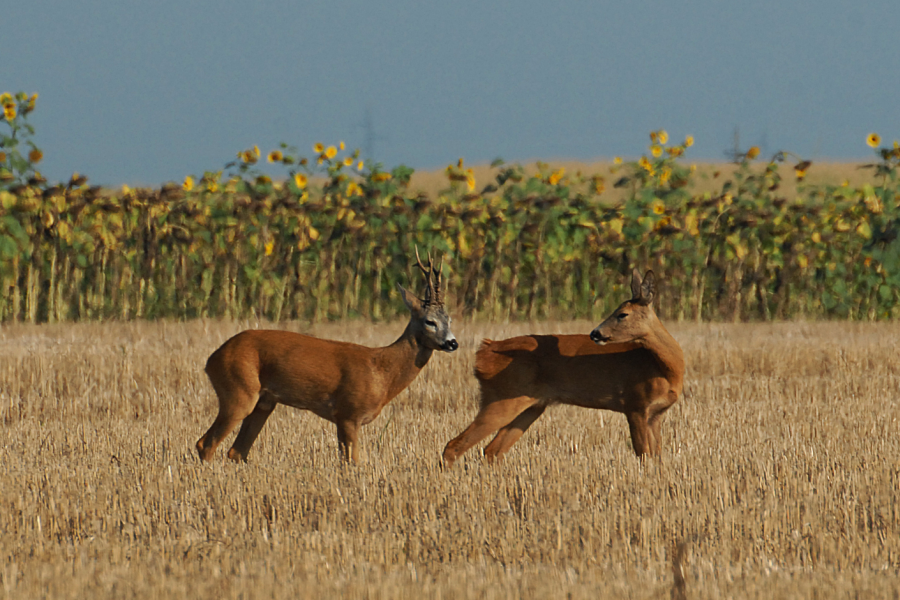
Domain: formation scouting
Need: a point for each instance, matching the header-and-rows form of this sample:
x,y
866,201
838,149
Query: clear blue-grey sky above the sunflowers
x,y
143,92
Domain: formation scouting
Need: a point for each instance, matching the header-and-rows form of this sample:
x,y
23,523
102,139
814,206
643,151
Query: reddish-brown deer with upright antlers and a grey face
x,y
341,382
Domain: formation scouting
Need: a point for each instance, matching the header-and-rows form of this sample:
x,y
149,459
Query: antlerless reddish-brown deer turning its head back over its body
x,y
628,364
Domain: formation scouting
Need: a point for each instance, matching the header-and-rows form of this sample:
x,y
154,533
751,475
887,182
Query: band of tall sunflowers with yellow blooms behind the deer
x,y
331,235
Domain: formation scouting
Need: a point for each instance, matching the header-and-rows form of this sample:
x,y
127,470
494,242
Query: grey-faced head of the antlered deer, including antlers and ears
x,y
430,322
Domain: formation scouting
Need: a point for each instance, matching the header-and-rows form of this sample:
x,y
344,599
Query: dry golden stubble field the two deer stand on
x,y
779,477
